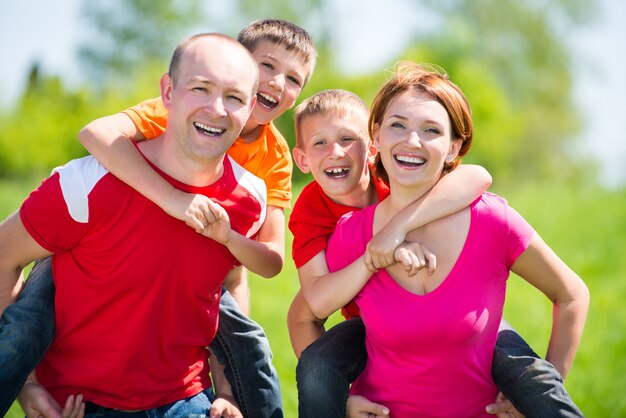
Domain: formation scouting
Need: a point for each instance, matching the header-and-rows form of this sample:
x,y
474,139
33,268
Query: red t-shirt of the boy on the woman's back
x,y
312,222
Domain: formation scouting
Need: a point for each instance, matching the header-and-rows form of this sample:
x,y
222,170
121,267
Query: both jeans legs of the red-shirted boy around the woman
x,y
329,365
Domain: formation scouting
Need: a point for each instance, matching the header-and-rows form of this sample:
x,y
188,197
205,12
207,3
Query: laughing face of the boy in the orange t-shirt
x,y
282,75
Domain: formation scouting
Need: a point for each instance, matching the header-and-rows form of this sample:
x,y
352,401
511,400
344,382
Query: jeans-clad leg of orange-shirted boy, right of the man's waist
x,y
243,349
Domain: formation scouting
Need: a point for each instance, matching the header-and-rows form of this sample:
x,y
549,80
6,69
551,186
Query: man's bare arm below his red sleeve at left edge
x,y
17,250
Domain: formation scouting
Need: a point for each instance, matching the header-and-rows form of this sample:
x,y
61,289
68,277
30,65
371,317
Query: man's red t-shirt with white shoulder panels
x,y
137,291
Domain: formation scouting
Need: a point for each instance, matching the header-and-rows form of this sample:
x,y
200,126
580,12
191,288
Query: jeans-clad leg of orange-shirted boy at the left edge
x,y
26,331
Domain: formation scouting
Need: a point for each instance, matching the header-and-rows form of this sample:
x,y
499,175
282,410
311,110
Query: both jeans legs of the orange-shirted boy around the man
x,y
27,329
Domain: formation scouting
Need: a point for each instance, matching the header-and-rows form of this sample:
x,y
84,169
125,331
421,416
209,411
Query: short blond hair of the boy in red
x,y
336,101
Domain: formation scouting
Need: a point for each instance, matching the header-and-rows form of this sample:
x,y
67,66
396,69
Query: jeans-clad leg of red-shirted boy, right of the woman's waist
x,y
532,384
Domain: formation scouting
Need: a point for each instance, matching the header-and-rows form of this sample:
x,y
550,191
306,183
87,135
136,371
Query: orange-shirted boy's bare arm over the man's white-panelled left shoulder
x,y
107,139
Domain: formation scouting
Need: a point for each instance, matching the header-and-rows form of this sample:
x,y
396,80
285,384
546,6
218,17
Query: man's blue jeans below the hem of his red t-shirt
x,y
195,406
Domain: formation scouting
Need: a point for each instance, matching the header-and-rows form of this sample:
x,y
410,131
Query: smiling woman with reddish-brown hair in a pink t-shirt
x,y
430,336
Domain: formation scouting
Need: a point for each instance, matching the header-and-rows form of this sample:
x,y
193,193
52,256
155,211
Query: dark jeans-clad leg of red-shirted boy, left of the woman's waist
x,y
327,368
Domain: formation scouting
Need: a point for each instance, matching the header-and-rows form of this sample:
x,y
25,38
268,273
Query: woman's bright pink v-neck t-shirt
x,y
430,355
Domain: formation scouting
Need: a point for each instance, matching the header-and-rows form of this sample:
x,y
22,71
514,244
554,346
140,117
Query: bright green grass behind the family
x,y
586,226
